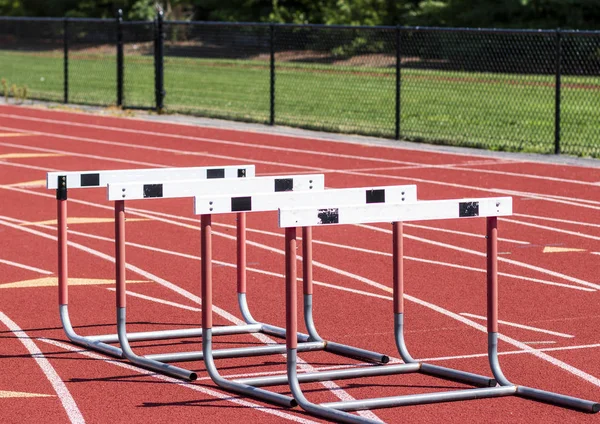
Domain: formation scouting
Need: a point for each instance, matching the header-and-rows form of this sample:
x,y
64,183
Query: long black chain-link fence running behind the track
x,y
520,90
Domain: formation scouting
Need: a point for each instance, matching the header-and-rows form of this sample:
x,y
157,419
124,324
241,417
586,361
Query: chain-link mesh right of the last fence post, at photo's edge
x,y
580,94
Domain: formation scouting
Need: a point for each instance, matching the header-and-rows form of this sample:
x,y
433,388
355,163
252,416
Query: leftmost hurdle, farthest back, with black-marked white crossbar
x,y
62,181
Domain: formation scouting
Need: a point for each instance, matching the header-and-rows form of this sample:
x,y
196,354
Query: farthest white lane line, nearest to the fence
x,y
285,149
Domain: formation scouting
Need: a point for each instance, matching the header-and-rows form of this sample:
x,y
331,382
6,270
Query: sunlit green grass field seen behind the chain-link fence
x,y
495,111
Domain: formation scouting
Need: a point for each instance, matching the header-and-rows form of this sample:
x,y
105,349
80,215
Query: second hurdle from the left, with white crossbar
x,y
149,189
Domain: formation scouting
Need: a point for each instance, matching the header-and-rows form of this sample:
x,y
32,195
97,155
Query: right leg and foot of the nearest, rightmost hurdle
x,y
492,299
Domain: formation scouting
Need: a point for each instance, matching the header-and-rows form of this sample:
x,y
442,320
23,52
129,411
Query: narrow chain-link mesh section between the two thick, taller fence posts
x,y
138,64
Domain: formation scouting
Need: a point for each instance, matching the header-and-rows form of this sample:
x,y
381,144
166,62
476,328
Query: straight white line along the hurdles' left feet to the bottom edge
x,y
201,389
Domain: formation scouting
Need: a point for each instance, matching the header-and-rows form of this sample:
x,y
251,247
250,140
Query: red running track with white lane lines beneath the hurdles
x,y
548,286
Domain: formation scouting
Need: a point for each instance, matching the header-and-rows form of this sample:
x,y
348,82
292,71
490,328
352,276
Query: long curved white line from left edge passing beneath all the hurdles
x,y
332,386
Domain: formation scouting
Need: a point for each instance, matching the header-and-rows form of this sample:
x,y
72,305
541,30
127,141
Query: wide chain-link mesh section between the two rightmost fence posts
x,y
485,89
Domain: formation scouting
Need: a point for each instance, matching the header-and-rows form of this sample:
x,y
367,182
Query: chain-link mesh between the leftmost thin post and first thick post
x,y
92,61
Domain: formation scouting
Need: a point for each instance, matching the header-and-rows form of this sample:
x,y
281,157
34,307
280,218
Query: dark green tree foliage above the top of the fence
x,y
578,14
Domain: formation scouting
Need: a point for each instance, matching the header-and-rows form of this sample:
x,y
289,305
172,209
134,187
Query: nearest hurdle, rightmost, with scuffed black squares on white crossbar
x,y
331,214
